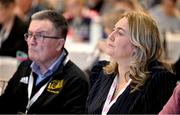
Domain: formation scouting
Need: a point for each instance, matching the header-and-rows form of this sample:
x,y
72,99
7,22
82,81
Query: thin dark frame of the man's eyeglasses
x,y
26,36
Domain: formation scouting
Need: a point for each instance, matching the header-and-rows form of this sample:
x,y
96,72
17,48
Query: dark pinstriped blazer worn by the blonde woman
x,y
149,99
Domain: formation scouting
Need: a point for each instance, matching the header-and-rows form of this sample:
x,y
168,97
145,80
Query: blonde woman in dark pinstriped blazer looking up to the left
x,y
135,80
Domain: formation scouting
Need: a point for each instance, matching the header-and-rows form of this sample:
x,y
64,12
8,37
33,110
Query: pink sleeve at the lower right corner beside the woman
x,y
173,104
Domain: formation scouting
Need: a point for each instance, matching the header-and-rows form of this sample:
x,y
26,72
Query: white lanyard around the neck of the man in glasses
x,y
35,97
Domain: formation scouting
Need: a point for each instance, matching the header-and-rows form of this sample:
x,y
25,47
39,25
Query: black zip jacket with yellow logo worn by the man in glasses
x,y
70,98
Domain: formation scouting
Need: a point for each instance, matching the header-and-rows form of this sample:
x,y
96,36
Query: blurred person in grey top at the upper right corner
x,y
166,16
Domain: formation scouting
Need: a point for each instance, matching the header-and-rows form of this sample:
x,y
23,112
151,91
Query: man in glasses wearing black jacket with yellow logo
x,y
50,82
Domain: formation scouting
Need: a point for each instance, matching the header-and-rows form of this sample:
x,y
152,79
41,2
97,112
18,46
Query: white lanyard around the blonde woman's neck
x,y
108,102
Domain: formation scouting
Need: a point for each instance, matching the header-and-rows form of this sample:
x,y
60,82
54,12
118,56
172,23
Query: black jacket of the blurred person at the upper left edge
x,y
15,40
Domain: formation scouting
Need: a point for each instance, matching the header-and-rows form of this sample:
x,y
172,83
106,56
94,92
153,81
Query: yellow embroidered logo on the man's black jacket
x,y
55,85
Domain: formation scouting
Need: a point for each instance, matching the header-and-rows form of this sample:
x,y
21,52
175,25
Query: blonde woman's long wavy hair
x,y
145,37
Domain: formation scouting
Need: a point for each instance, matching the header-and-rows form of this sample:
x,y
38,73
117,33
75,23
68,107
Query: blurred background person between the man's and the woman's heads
x,y
79,23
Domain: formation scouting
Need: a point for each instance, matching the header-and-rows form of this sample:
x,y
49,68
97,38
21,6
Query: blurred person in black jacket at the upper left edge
x,y
12,30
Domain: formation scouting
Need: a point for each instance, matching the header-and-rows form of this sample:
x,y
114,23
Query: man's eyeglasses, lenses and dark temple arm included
x,y
38,36
